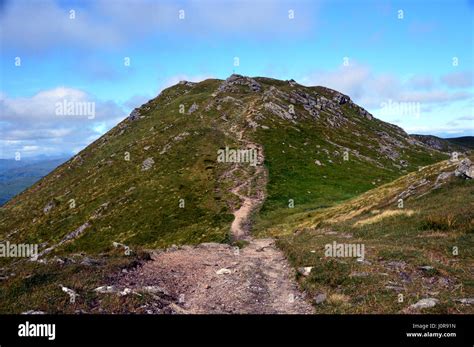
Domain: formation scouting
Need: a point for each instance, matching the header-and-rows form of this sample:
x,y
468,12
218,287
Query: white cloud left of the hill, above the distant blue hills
x,y
31,125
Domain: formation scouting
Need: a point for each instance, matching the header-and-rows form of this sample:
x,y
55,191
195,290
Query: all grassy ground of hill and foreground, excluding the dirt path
x,y
330,165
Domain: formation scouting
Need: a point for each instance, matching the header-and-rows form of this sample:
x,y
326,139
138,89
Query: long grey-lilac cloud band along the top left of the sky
x,y
108,24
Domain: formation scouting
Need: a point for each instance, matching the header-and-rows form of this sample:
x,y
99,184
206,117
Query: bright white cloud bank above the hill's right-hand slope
x,y
422,106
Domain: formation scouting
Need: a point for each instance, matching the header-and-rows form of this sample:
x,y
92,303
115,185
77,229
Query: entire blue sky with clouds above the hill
x,y
408,62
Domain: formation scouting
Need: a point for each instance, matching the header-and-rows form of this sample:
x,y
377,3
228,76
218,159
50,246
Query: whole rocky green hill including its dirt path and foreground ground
x,y
149,208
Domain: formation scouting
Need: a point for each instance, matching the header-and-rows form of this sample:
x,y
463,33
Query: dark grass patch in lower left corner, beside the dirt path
x,y
37,286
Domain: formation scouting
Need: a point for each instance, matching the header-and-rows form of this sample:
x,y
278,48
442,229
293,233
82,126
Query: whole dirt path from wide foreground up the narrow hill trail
x,y
219,278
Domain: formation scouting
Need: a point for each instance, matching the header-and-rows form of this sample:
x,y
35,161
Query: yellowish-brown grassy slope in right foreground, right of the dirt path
x,y
422,250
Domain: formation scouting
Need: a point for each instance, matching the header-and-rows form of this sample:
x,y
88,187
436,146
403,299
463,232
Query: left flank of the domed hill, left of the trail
x,y
106,185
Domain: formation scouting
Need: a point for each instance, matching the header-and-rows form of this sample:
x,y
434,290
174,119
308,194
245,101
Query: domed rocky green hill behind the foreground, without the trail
x,y
154,179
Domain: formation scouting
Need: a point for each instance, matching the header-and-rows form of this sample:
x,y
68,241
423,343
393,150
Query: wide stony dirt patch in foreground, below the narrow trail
x,y
218,278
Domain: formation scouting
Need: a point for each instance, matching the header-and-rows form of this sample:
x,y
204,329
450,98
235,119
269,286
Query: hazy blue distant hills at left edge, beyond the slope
x,y
16,176
